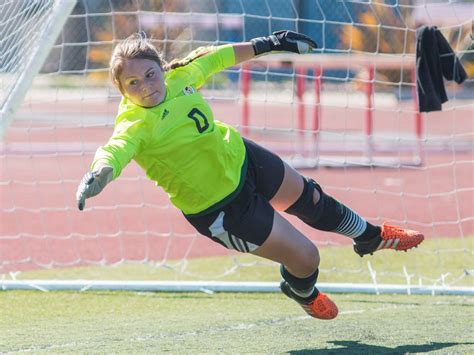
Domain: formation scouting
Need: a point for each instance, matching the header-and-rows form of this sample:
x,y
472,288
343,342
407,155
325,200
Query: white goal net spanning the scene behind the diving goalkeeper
x,y
346,115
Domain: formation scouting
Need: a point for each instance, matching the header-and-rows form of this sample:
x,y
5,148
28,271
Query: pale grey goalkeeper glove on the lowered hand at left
x,y
92,184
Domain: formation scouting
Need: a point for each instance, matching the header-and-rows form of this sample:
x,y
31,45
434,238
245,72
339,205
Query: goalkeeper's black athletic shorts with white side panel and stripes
x,y
246,222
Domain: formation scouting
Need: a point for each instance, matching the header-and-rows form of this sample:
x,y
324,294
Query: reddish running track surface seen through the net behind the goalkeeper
x,y
50,146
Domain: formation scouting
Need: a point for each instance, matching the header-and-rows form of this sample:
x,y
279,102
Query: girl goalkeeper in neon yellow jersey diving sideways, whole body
x,y
227,187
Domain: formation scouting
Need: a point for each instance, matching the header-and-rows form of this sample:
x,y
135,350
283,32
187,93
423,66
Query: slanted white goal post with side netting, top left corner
x,y
30,29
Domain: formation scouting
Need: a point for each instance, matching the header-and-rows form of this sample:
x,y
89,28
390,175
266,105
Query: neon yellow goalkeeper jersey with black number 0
x,y
200,162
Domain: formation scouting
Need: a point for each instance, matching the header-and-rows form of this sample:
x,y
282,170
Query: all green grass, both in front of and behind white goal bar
x,y
190,323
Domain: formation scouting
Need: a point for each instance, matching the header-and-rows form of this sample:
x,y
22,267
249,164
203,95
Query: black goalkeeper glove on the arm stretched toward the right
x,y
283,41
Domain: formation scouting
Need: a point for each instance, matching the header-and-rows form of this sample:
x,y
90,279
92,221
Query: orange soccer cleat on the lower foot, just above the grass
x,y
320,307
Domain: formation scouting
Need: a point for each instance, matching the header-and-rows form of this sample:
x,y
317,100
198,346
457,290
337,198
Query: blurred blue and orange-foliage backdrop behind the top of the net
x,y
178,26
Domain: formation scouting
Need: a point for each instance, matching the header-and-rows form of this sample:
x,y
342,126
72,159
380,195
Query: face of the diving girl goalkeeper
x,y
142,82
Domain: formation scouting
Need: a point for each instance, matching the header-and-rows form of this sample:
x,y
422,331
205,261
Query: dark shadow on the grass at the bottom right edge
x,y
356,347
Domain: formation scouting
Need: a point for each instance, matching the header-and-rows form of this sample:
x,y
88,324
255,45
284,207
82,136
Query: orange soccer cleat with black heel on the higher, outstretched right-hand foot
x,y
392,237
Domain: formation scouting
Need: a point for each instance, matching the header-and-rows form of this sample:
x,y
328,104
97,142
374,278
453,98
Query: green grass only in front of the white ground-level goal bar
x,y
68,322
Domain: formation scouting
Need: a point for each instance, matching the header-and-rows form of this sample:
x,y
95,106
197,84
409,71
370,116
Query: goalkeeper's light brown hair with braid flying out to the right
x,y
138,46
